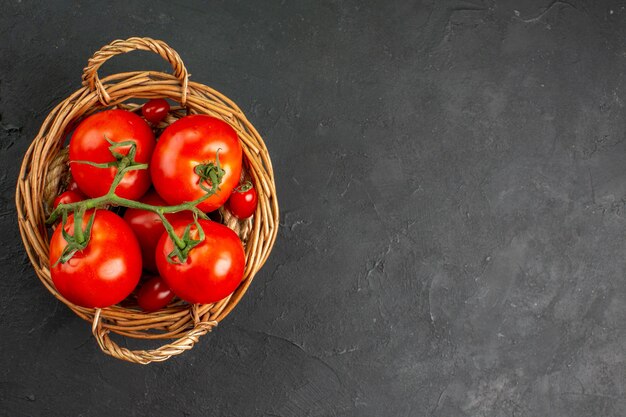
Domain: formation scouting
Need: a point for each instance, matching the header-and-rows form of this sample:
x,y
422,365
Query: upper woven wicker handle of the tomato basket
x,y
118,47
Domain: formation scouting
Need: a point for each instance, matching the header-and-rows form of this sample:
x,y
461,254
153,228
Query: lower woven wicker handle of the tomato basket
x,y
160,354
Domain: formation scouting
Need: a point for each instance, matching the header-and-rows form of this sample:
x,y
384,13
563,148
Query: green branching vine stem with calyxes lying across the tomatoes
x,y
210,173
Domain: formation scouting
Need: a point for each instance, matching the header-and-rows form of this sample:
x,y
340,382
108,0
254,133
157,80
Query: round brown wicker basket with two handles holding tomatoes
x,y
44,174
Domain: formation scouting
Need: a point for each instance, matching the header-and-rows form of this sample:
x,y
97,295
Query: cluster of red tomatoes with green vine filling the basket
x,y
137,204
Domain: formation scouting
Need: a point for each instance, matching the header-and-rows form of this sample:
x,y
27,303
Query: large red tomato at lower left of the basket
x,y
106,271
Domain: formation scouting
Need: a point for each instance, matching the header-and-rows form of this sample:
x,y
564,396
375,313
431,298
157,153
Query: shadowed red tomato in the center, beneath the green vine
x,y
148,227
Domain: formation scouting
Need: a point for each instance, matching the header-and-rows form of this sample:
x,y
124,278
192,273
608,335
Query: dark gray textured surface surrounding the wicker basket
x,y
452,181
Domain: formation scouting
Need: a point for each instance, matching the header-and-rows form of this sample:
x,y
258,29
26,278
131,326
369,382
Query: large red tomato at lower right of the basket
x,y
212,270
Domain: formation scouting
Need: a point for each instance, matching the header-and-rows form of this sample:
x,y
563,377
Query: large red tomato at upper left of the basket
x,y
89,143
